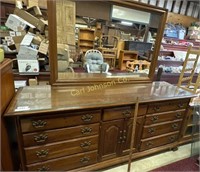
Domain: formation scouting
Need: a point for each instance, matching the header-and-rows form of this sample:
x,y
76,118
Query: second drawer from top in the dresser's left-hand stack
x,y
49,136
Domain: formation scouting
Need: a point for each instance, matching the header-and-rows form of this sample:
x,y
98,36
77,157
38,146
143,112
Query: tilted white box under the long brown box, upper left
x,y
16,23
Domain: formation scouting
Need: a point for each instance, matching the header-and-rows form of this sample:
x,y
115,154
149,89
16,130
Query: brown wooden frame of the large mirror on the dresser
x,y
54,81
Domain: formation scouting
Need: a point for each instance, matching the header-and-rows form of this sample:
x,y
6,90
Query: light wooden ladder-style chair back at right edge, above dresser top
x,y
186,82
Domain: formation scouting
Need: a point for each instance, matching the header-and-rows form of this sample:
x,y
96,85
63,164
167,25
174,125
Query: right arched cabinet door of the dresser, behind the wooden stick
x,y
127,131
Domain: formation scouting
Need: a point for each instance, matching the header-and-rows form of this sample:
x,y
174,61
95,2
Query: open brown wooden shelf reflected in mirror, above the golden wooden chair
x,y
125,56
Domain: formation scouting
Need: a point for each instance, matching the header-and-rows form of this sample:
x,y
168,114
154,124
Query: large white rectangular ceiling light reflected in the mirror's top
x,y
130,14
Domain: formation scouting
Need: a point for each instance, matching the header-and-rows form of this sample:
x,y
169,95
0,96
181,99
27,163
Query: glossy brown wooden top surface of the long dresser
x,y
42,99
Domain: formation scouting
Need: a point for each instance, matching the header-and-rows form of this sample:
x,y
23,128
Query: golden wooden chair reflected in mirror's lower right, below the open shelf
x,y
137,65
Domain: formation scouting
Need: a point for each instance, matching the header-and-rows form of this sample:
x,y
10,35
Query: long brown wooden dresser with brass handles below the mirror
x,y
89,128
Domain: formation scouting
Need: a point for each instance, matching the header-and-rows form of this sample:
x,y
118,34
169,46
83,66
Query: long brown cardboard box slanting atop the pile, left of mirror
x,y
38,23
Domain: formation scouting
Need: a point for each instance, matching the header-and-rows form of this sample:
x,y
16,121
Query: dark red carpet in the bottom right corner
x,y
186,165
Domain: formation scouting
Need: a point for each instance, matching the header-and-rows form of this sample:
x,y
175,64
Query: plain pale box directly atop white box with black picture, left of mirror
x,y
26,52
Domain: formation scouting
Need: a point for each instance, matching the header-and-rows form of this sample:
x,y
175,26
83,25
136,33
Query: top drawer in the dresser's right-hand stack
x,y
167,106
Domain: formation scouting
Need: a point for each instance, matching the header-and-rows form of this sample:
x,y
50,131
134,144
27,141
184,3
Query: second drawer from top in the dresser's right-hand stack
x,y
164,116
